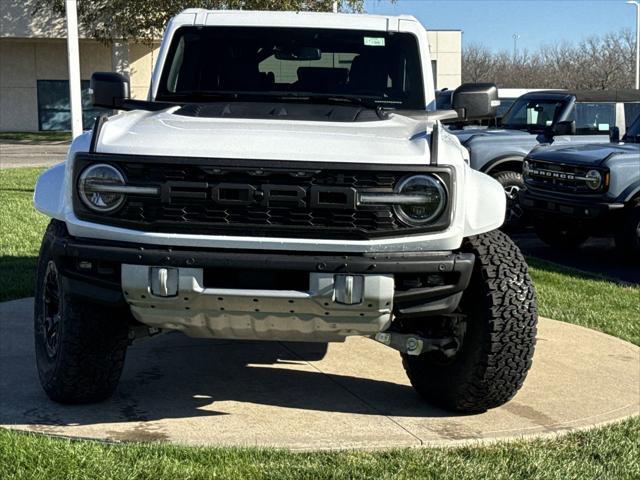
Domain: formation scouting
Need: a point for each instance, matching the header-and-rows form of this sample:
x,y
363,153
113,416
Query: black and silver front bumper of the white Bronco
x,y
264,295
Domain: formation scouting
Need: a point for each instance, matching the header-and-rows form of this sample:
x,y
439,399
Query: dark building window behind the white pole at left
x,y
54,110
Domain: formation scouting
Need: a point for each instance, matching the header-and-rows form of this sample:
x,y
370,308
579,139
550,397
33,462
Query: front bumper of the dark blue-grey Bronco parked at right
x,y
542,204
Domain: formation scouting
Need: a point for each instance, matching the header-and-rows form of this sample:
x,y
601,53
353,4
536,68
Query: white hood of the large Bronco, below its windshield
x,y
399,140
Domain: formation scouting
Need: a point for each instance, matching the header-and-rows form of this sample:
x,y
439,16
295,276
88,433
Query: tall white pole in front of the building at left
x,y
73,54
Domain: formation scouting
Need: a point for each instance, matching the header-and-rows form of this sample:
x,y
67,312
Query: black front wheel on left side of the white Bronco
x,y
80,348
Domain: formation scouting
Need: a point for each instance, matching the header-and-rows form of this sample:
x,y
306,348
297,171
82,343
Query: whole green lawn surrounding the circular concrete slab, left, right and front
x,y
607,453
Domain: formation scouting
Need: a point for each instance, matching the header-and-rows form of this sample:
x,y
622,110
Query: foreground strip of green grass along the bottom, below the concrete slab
x,y
608,453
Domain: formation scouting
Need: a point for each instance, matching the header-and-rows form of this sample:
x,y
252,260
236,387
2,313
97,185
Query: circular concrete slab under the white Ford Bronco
x,y
199,392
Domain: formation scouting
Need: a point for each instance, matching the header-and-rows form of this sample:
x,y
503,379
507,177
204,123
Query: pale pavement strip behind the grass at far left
x,y
28,153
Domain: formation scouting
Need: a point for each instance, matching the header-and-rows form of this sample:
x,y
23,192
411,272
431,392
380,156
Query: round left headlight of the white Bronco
x,y
93,187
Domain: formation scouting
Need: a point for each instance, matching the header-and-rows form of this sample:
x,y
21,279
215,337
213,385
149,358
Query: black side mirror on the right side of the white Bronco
x,y
476,101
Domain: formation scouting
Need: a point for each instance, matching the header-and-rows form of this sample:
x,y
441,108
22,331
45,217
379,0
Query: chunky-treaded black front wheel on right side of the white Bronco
x,y
499,307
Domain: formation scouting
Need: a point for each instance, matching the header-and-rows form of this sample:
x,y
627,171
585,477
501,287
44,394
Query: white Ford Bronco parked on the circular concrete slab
x,y
287,179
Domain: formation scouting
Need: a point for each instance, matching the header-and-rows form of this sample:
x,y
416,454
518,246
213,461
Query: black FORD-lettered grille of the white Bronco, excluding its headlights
x,y
186,185
